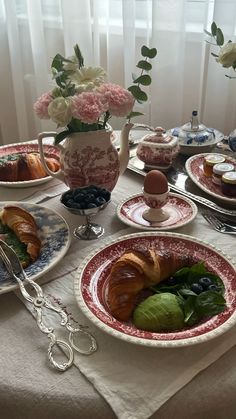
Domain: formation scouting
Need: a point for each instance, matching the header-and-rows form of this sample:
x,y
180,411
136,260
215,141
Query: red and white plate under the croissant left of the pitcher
x,y
49,151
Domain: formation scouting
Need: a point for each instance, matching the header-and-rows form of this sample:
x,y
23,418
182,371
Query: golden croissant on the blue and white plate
x,y
24,226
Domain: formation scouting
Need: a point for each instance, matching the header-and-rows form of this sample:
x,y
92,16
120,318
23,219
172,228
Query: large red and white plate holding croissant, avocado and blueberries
x,y
94,271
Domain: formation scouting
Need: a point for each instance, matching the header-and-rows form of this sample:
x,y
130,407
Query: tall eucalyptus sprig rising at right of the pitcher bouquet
x,y
144,79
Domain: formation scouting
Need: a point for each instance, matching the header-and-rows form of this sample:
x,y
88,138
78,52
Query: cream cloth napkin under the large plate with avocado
x,y
135,380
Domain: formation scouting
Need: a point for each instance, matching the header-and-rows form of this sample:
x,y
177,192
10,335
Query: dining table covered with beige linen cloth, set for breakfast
x,y
120,379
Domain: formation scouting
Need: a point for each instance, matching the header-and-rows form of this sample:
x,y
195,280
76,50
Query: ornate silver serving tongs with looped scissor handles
x,y
15,269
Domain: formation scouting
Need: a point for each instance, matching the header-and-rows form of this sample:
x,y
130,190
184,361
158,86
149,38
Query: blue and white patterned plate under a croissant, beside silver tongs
x,y
55,236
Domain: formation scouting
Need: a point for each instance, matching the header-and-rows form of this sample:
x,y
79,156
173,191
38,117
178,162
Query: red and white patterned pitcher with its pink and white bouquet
x,y
81,103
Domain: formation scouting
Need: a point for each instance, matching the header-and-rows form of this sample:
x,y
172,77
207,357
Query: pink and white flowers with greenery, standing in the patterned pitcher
x,y
83,101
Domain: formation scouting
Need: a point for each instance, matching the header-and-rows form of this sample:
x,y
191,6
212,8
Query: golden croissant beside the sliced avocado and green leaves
x,y
135,271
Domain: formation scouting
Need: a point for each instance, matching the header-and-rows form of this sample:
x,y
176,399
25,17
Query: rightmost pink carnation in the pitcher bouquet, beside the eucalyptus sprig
x,y
120,100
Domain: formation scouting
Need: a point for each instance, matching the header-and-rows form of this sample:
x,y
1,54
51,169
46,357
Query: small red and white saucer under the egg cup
x,y
181,211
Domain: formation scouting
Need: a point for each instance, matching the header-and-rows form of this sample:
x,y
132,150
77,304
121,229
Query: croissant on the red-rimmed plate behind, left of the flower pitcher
x,y
25,166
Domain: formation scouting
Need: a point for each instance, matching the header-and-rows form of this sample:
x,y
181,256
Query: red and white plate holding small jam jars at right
x,y
194,168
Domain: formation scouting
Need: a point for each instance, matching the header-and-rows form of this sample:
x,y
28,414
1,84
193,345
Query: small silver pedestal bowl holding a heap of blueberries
x,y
89,230
